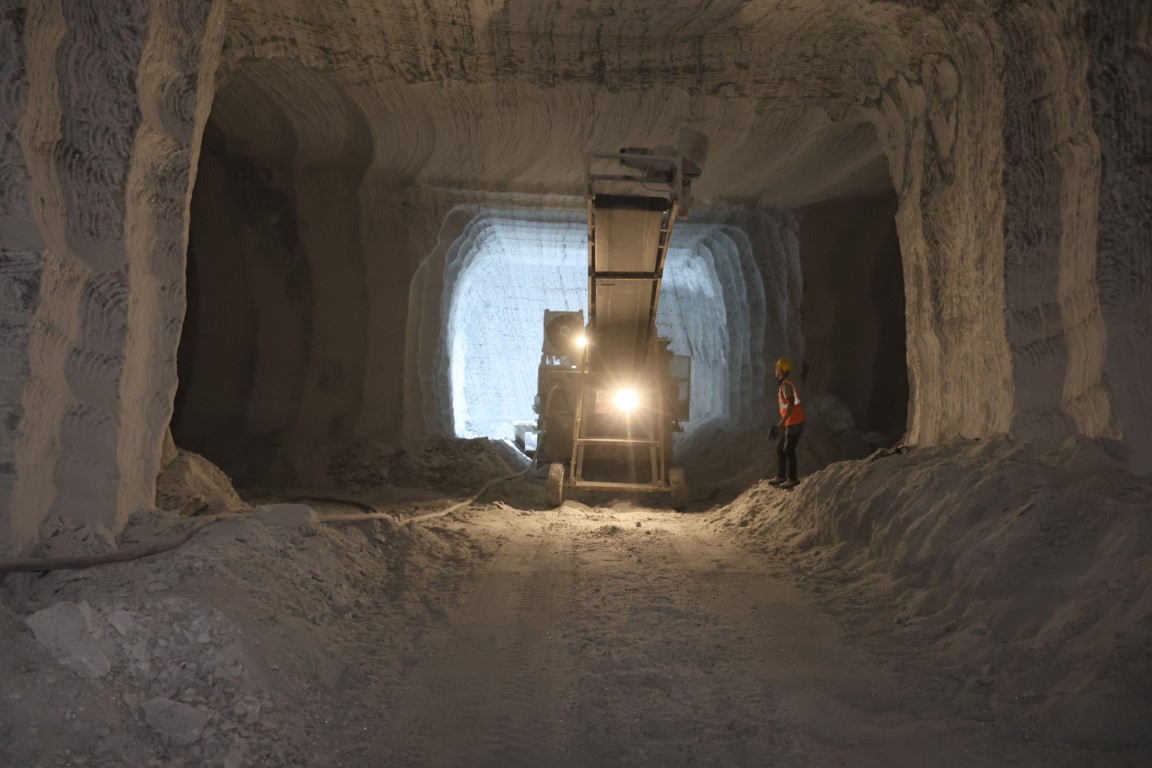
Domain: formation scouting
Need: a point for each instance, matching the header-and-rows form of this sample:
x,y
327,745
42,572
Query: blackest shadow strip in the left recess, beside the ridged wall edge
x,y
248,317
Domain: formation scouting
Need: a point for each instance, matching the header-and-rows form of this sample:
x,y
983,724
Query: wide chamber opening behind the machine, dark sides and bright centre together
x,y
285,347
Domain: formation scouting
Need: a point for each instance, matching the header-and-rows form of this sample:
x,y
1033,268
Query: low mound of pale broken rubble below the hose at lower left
x,y
233,651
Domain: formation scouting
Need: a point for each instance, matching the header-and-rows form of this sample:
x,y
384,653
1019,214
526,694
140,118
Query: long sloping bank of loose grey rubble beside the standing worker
x,y
1022,576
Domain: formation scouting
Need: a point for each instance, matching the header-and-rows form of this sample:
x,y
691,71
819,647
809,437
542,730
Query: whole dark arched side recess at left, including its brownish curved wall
x,y
285,302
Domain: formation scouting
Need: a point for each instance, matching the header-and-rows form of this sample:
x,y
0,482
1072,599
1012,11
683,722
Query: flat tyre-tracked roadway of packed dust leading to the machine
x,y
635,638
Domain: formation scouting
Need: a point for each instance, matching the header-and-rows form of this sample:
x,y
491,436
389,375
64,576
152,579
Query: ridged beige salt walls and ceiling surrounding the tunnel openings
x,y
1015,136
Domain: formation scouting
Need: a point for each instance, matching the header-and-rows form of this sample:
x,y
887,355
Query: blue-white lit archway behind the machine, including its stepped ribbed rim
x,y
726,300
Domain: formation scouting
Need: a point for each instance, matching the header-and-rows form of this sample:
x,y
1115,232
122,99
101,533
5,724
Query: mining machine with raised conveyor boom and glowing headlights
x,y
611,396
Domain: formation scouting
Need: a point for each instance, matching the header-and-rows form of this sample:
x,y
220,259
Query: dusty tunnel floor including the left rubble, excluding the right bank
x,y
501,635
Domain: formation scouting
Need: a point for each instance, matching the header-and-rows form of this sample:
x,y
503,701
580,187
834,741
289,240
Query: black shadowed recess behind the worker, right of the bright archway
x,y
854,310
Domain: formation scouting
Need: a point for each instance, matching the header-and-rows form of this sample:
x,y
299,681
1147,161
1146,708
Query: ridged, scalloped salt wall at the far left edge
x,y
103,120
